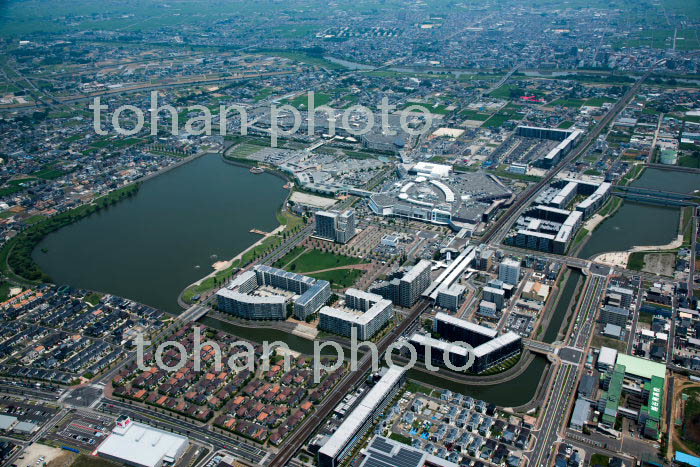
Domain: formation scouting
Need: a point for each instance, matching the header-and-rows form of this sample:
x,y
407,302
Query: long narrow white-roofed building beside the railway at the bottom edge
x,y
353,428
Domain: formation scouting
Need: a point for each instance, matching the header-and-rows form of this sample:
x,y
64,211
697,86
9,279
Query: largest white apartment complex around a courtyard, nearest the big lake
x,y
264,292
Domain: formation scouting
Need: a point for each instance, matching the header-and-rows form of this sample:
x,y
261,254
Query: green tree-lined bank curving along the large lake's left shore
x,y
16,255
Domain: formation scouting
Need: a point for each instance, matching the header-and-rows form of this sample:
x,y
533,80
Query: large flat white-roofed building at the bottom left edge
x,y
140,445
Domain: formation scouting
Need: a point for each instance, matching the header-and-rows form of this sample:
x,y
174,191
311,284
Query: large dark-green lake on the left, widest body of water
x,y
149,247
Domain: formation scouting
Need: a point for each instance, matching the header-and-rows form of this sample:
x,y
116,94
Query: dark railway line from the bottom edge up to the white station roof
x,y
346,385
